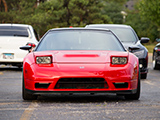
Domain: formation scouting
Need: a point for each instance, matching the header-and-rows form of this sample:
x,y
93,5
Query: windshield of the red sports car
x,y
80,40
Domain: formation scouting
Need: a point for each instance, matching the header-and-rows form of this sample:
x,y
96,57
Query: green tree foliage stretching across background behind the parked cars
x,y
145,19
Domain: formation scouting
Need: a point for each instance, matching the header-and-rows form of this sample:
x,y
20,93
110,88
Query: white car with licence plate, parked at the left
x,y
12,36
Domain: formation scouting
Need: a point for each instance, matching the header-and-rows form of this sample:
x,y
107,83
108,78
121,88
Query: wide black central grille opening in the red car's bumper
x,y
81,83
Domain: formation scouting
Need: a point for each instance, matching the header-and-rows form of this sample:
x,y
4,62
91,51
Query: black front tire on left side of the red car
x,y
26,95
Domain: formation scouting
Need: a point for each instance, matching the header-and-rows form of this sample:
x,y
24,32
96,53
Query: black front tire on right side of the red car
x,y
136,95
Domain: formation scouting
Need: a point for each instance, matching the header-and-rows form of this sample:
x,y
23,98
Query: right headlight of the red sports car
x,y
119,60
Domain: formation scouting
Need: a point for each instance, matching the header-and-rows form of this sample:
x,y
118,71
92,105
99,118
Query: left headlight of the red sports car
x,y
43,60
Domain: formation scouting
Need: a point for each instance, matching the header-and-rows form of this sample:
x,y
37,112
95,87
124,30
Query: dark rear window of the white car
x,y
14,31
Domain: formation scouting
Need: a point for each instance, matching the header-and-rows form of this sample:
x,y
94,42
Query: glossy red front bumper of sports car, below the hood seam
x,y
120,80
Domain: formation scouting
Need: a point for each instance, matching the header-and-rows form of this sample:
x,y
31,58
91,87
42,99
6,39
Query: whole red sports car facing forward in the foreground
x,y
80,60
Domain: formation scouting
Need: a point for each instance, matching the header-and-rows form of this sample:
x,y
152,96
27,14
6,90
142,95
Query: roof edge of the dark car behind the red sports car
x,y
110,25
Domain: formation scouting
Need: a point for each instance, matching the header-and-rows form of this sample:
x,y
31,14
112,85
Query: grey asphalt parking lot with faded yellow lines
x,y
78,106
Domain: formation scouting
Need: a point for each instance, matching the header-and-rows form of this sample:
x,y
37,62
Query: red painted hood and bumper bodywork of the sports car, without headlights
x,y
80,64
